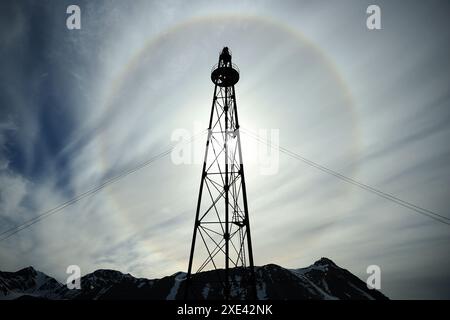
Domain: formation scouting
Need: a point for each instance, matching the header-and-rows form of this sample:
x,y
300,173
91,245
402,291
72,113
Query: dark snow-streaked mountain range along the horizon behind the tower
x,y
323,280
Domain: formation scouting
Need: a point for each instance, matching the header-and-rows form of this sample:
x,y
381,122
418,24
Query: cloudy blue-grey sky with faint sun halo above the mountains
x,y
79,106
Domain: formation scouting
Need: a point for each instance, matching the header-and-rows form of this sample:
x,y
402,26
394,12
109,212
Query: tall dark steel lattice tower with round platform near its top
x,y
221,240
